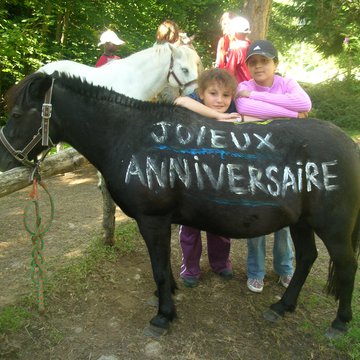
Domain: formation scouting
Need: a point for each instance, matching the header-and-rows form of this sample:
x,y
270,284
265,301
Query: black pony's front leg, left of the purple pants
x,y
156,231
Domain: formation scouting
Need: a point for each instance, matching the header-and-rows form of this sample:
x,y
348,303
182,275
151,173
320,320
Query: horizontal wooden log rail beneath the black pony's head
x,y
59,163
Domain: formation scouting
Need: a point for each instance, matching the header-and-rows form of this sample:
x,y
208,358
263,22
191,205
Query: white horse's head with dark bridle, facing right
x,y
185,68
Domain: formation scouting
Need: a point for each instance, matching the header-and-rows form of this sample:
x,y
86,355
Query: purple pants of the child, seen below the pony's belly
x,y
218,252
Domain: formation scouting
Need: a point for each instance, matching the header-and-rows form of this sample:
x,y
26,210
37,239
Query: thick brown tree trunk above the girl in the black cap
x,y
258,14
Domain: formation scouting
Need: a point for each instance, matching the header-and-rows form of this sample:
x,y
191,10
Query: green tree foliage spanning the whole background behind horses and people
x,y
35,32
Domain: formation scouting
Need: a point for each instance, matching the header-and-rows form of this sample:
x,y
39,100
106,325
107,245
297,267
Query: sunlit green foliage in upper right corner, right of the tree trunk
x,y
335,32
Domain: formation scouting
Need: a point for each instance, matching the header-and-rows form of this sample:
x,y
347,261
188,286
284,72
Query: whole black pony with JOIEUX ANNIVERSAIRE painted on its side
x,y
164,164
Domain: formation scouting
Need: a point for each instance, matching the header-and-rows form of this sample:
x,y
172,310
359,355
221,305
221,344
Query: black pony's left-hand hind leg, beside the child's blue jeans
x,y
305,254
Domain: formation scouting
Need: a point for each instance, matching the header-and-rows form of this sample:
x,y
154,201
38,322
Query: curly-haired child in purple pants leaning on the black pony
x,y
213,98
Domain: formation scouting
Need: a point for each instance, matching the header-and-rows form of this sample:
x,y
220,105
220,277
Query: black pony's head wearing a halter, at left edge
x,y
21,138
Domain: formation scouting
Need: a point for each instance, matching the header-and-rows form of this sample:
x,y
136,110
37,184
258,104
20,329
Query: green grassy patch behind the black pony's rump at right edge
x,y
337,101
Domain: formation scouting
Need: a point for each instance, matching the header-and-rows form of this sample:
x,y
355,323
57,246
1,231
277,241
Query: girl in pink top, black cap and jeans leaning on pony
x,y
268,95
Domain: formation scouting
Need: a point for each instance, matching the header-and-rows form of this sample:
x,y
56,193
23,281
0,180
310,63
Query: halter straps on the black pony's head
x,y
42,135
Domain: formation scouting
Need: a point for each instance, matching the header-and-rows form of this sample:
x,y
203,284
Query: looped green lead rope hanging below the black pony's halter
x,y
38,273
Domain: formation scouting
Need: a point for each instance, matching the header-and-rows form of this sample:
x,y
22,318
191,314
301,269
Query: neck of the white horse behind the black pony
x,y
141,76
